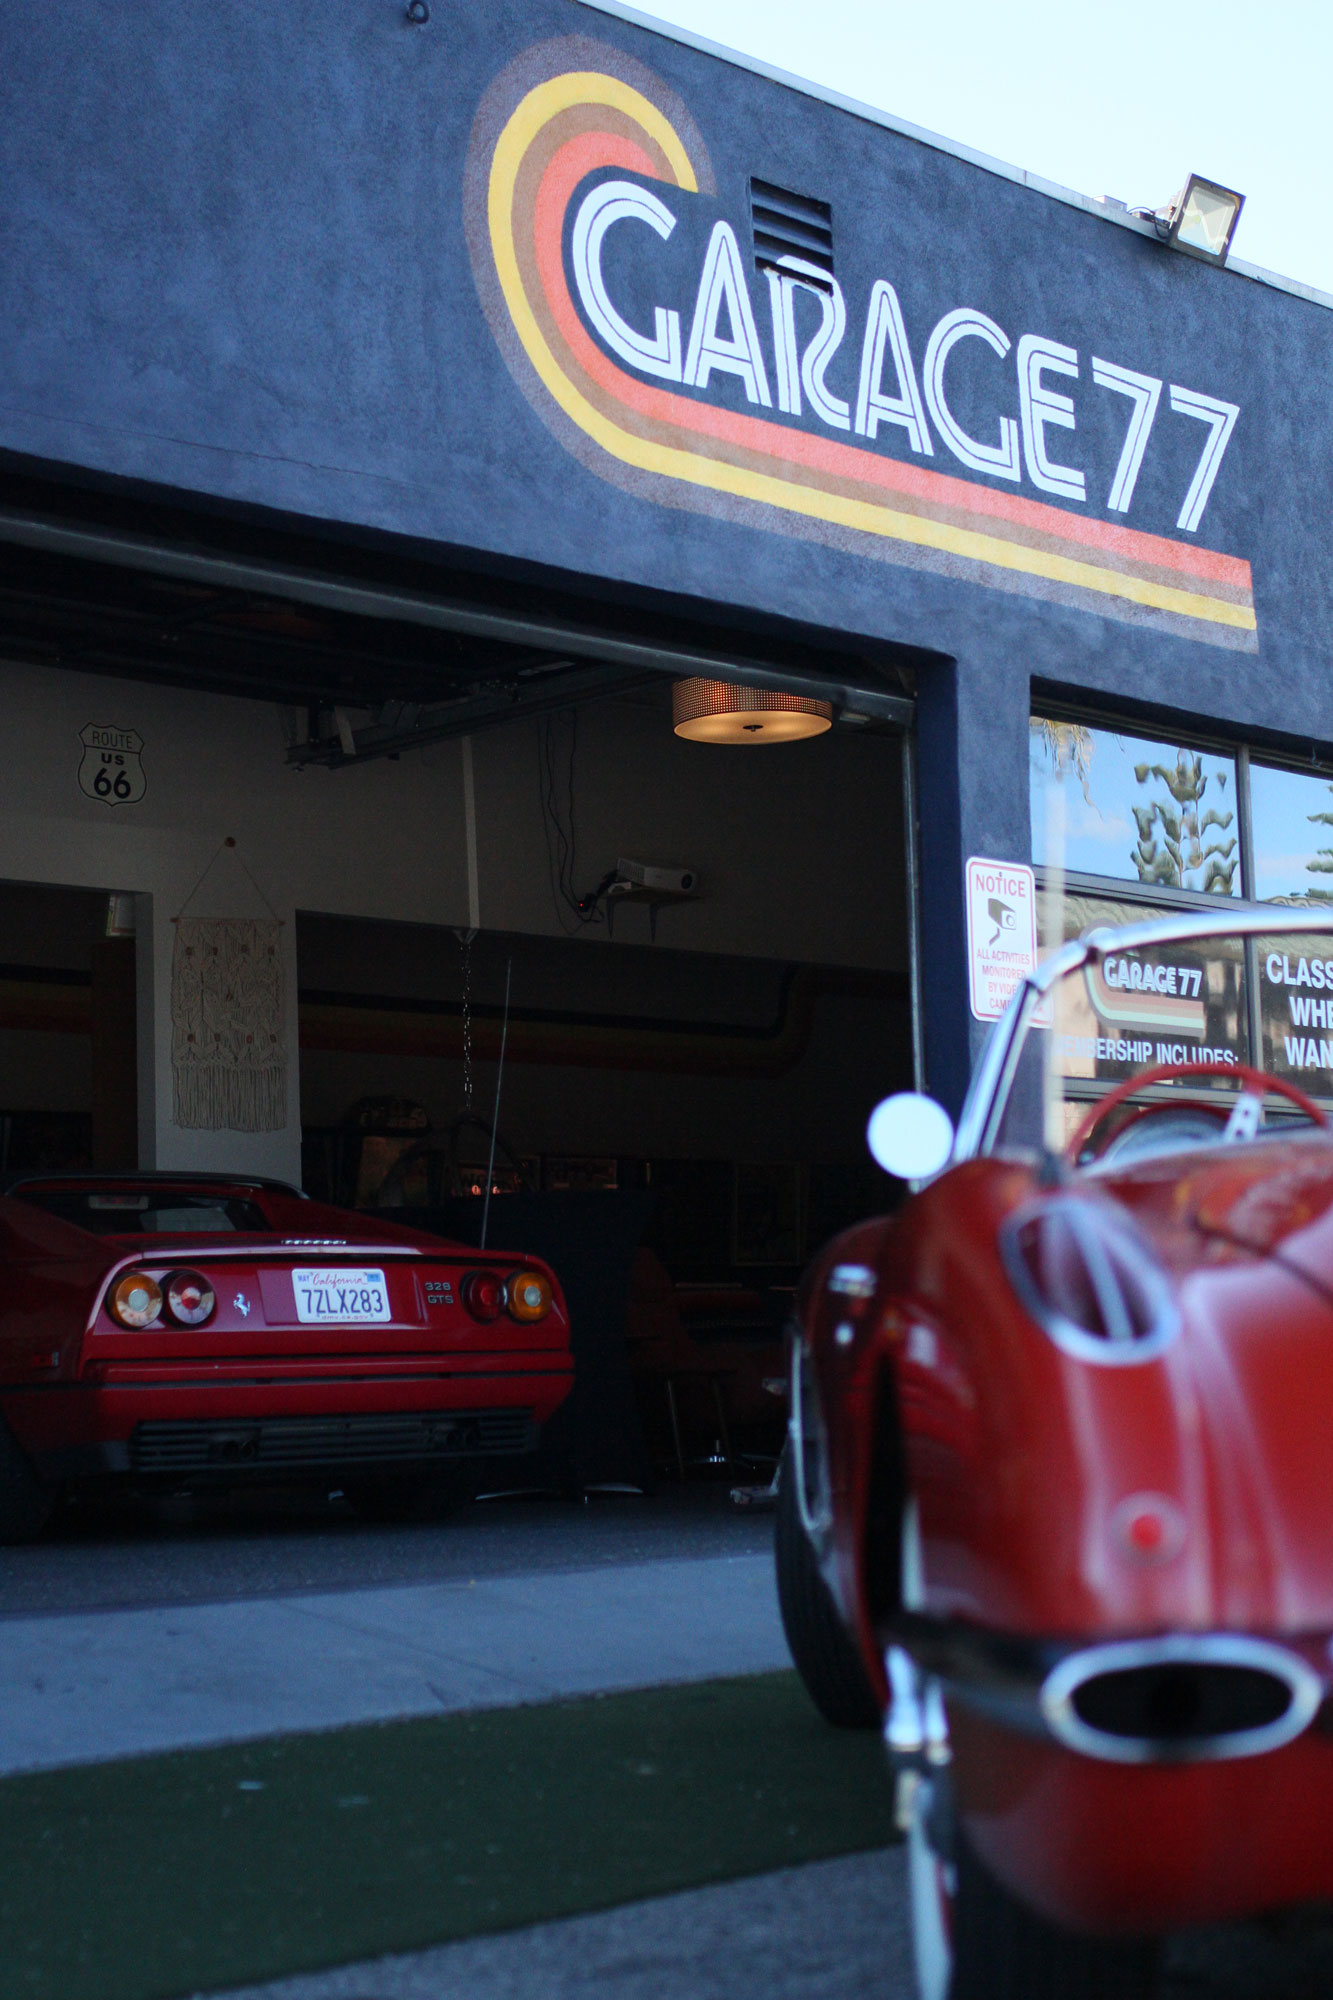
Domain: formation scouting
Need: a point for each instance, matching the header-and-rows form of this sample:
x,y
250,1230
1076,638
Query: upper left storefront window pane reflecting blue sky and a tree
x,y
1134,809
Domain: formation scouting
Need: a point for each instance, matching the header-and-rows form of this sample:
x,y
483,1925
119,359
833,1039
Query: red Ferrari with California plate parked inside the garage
x,y
197,1329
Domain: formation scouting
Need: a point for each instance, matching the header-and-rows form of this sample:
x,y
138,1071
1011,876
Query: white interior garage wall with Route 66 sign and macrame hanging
x,y
800,849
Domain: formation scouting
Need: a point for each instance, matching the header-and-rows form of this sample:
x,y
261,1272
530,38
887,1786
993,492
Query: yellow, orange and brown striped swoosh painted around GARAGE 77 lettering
x,y
571,109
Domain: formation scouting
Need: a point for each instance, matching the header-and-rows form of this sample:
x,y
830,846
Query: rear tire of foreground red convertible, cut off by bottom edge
x,y
974,1941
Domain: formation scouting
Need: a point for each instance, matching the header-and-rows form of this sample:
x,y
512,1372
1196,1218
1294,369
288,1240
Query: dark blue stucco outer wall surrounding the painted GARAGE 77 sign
x,y
233,263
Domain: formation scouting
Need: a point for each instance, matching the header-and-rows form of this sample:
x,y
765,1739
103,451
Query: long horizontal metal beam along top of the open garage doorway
x,y
365,601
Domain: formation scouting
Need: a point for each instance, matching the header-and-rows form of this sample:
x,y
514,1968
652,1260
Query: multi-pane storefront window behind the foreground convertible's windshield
x,y
1144,813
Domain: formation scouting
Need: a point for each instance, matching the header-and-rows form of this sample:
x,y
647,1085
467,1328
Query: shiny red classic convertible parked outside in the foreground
x,y
1060,1477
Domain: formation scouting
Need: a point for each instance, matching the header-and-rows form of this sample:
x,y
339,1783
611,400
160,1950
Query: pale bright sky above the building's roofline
x,y
1116,101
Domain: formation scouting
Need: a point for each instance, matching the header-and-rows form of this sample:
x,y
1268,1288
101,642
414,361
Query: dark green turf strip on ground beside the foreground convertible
x,y
167,1875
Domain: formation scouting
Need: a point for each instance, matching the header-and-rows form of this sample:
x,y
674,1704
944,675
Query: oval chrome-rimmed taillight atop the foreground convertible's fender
x,y
1090,1281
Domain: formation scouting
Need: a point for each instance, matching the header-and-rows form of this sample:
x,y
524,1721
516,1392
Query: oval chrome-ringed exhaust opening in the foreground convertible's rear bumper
x,y
1182,1699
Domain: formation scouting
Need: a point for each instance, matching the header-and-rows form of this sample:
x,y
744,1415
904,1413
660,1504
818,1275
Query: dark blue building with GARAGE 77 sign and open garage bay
x,y
421,427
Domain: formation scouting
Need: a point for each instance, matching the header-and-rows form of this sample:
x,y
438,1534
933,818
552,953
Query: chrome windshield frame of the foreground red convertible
x,y
996,1071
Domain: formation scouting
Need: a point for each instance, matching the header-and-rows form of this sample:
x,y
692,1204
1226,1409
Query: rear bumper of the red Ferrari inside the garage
x,y
199,1427
